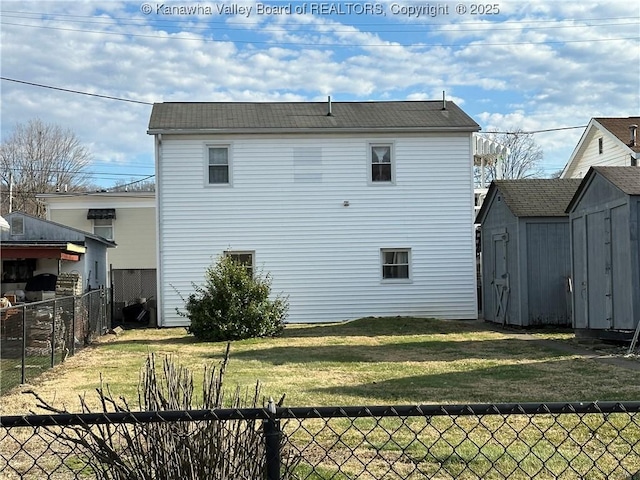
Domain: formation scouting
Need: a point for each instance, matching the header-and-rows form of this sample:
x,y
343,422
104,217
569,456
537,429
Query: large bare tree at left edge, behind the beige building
x,y
40,158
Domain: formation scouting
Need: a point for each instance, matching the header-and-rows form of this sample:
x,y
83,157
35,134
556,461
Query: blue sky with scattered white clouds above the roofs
x,y
535,65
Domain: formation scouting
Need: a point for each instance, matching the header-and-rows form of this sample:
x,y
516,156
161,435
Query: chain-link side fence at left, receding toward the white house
x,y
37,336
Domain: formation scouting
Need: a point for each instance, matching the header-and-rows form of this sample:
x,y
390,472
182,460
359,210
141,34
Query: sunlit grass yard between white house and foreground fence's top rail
x,y
371,361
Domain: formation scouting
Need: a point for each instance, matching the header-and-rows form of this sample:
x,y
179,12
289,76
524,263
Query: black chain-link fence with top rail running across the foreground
x,y
503,441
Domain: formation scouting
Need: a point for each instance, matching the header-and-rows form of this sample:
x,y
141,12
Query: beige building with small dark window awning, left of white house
x,y
128,218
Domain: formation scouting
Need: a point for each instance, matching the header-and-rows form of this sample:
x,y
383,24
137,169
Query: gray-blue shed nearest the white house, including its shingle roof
x,y
525,256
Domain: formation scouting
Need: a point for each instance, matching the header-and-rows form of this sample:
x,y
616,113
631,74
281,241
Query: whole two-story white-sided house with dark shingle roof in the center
x,y
353,208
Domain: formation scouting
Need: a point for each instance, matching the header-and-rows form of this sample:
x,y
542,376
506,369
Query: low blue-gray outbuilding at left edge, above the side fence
x,y
33,246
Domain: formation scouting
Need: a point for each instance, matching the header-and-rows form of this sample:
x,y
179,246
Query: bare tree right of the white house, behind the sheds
x,y
523,161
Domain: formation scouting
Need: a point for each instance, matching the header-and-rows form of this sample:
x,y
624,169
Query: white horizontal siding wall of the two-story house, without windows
x,y
323,255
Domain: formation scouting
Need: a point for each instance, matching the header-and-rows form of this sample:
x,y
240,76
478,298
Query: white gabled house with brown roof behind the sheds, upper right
x,y
605,142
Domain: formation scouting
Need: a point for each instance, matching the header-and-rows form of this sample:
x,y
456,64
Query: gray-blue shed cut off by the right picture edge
x,y
605,219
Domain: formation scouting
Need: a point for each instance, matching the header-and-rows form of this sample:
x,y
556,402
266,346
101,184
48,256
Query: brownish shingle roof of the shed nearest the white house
x,y
532,197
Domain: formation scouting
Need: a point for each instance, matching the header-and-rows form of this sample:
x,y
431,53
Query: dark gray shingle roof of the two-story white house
x,y
310,116
